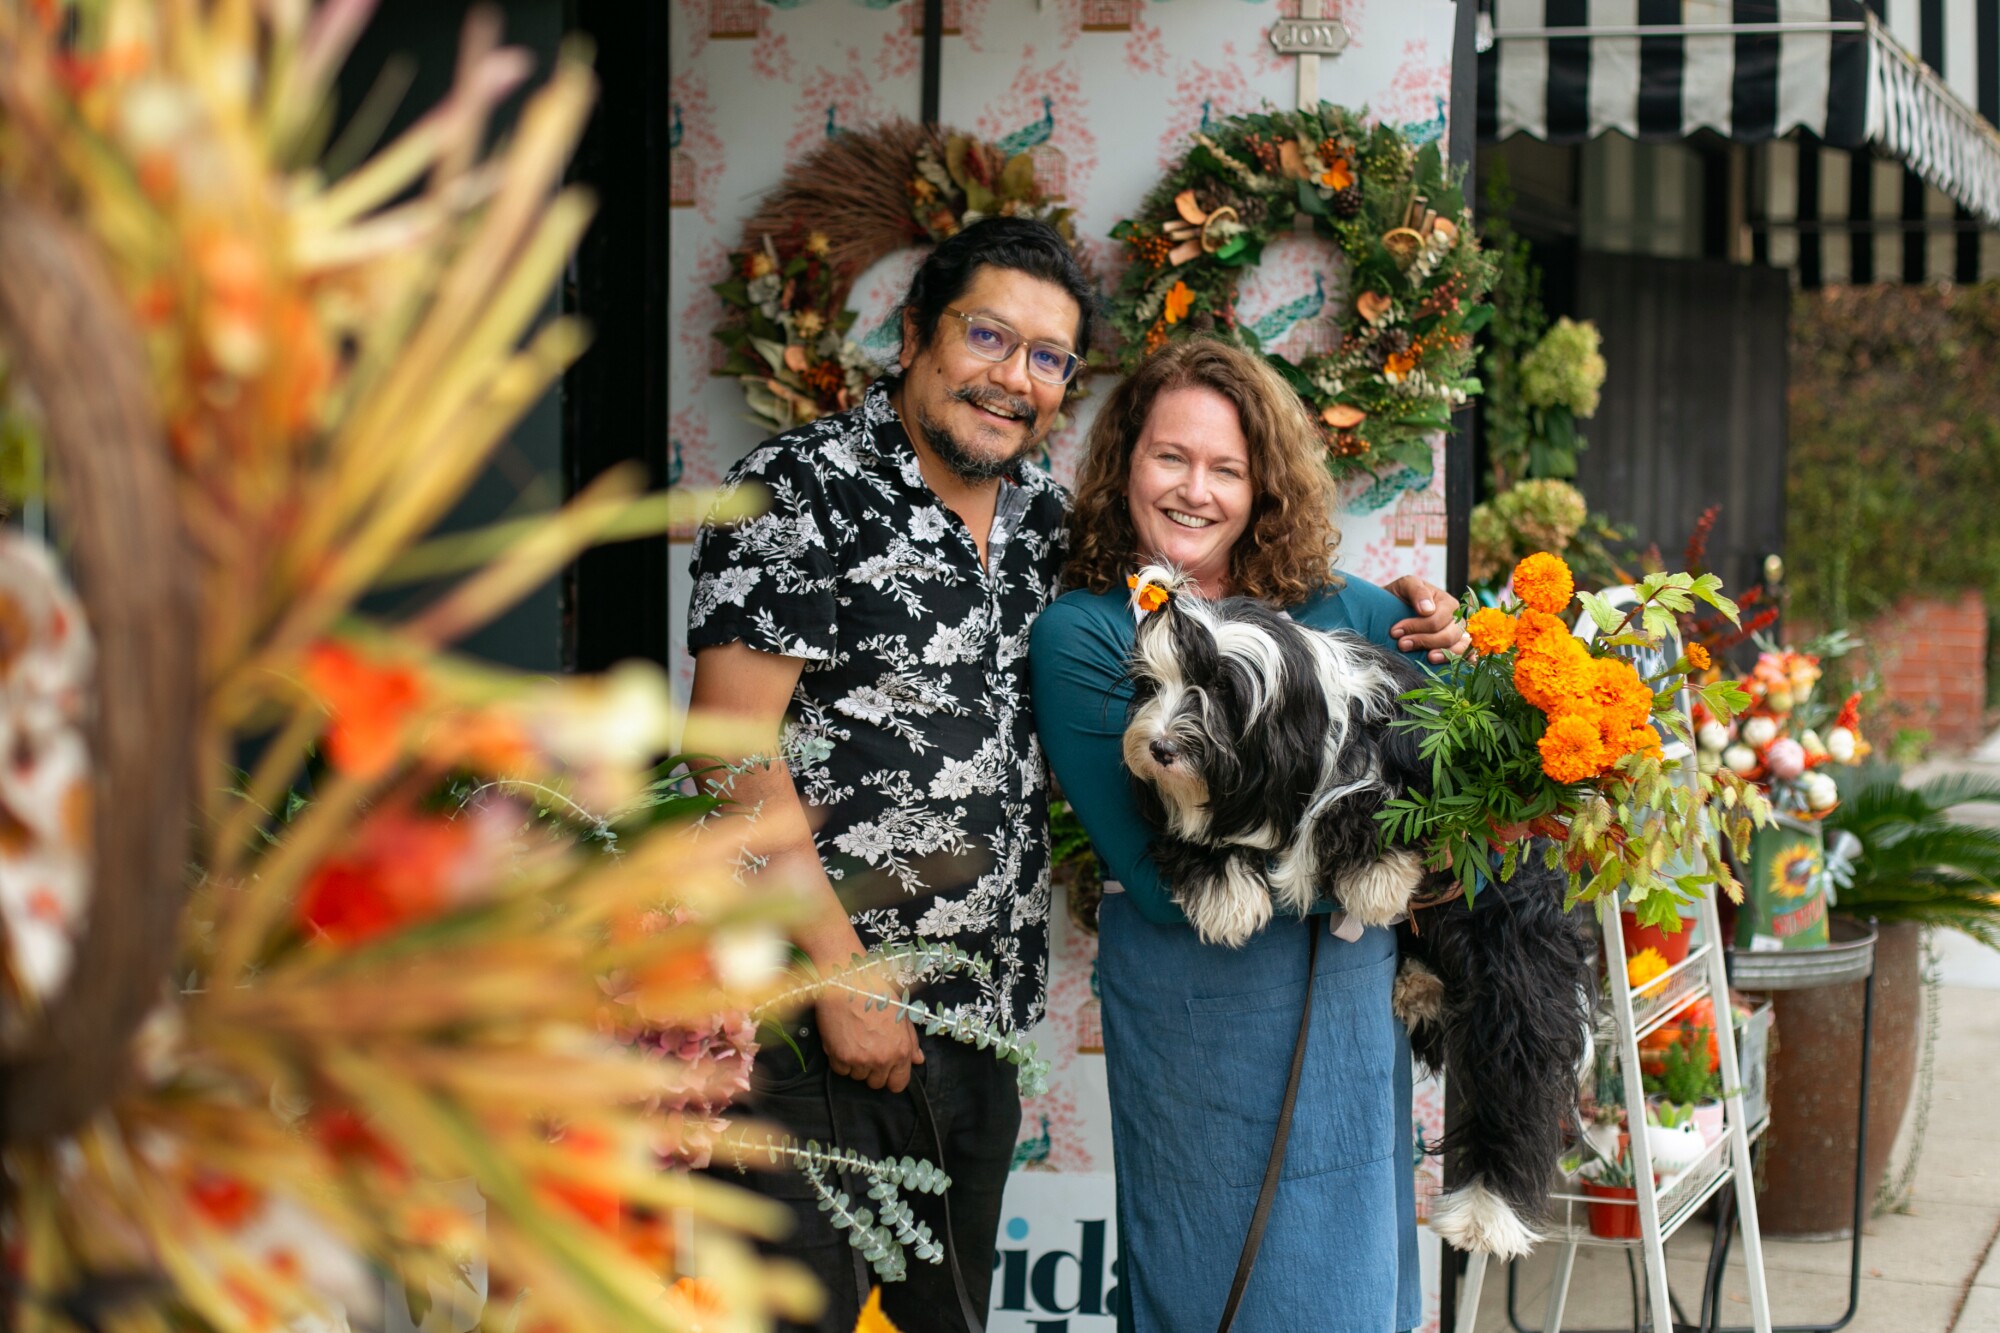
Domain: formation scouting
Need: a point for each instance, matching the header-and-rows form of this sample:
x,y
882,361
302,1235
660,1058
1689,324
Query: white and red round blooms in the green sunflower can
x,y
1777,740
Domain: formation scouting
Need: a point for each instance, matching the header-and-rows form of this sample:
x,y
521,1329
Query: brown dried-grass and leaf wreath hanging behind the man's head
x,y
855,201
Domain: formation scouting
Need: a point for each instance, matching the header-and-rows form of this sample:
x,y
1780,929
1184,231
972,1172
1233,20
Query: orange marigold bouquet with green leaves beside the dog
x,y
1537,734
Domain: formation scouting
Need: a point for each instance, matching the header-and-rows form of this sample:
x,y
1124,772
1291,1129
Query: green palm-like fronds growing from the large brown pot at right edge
x,y
1917,862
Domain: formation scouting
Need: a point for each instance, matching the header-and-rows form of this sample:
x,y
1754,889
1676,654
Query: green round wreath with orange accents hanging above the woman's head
x,y
1415,271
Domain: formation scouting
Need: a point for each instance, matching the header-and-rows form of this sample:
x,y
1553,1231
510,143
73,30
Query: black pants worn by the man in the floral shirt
x,y
977,1110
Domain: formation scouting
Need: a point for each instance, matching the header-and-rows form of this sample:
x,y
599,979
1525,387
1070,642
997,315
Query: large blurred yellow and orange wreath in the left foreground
x,y
397,970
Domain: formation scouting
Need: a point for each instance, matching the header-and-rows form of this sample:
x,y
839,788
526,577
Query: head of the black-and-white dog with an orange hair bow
x,y
1221,730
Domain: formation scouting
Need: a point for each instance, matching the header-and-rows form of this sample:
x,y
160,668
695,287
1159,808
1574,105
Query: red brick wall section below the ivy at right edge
x,y
1933,659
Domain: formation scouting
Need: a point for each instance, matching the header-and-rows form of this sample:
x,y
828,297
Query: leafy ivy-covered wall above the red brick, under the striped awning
x,y
1895,447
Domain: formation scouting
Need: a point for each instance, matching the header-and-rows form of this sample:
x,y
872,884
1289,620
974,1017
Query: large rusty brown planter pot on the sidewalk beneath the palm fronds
x,y
1815,1088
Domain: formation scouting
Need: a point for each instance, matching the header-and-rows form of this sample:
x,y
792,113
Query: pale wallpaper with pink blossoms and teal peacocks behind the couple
x,y
1105,97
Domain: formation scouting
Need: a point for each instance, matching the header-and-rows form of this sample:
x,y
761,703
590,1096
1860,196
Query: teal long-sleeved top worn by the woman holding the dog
x,y
1077,665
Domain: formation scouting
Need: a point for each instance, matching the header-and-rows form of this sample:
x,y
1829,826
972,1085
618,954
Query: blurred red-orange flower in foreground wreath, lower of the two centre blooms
x,y
399,870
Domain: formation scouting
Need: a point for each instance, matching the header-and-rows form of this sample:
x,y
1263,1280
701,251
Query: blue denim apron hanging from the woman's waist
x,y
1197,1044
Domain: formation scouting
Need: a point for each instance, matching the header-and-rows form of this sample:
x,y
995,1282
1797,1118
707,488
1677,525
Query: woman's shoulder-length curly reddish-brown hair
x,y
1287,551
